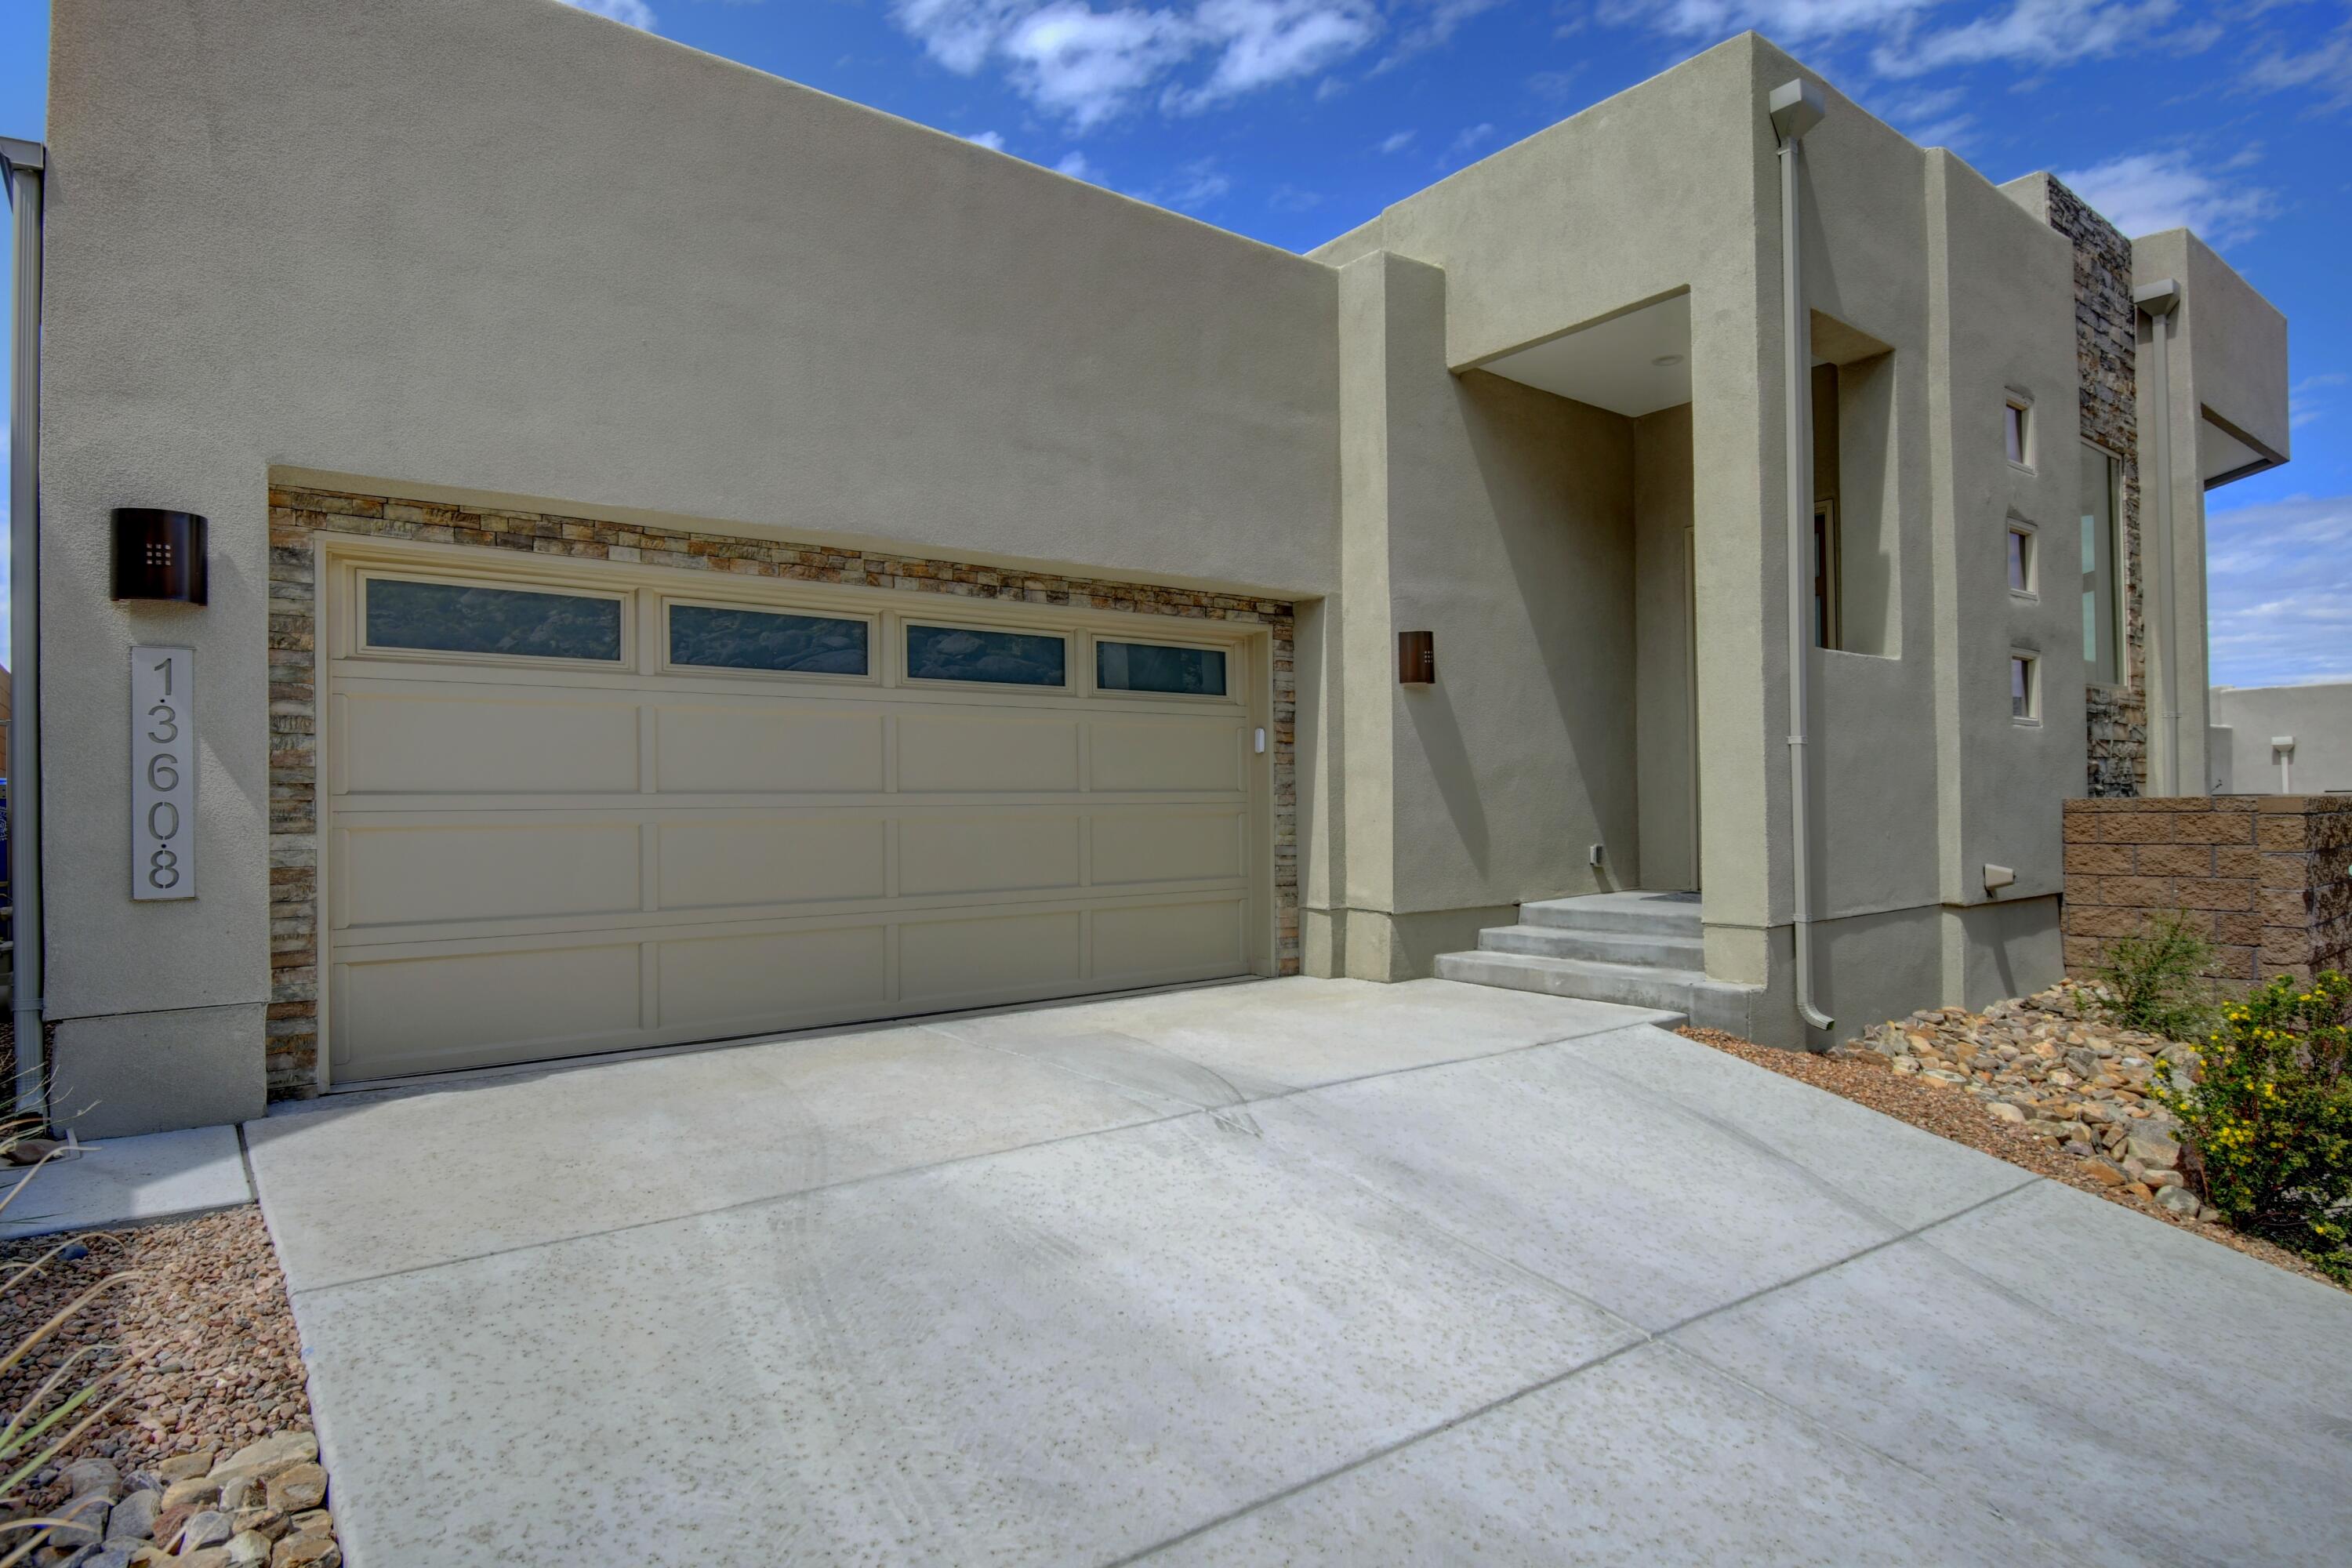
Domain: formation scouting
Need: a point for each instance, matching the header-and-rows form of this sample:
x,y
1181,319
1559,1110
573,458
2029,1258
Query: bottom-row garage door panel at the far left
x,y
490,1007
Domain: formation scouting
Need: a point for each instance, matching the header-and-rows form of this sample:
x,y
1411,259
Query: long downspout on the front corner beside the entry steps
x,y
1796,109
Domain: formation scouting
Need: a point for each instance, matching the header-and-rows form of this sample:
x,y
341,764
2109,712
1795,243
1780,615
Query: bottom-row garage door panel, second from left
x,y
773,981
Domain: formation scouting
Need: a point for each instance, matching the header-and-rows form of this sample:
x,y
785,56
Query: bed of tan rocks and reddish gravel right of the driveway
x,y
2038,1083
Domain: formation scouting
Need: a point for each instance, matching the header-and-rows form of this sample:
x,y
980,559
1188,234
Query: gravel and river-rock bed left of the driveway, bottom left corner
x,y
208,1459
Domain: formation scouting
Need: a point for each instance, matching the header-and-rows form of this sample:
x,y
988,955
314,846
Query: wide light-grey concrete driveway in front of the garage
x,y
1302,1271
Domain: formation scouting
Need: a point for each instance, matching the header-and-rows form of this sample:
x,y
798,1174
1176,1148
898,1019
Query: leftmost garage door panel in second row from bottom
x,y
490,871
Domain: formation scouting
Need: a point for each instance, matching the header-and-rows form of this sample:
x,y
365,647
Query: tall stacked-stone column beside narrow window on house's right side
x,y
2106,344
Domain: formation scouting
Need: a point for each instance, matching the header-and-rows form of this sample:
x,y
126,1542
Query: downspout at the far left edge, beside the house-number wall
x,y
25,166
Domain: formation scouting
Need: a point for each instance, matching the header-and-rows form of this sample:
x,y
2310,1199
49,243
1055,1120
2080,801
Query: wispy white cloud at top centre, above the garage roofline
x,y
1093,62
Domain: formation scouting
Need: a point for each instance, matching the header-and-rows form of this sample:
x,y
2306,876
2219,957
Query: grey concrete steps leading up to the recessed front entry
x,y
1633,949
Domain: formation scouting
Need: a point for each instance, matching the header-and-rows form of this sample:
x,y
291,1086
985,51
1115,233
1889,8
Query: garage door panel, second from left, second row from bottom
x,y
733,862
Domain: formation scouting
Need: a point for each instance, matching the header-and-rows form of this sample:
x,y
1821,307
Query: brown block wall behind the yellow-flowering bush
x,y
2269,876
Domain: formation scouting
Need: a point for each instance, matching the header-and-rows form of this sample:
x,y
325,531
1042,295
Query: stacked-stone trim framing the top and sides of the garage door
x,y
298,516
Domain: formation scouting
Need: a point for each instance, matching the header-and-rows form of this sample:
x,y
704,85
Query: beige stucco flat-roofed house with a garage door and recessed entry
x,y
695,558
